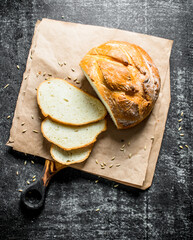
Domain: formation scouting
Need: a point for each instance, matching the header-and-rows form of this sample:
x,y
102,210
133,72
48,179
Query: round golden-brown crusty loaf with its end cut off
x,y
126,80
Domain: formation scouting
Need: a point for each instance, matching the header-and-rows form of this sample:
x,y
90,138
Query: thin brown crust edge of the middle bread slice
x,y
82,146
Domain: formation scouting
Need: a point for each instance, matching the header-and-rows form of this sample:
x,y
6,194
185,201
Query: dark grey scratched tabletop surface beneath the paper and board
x,y
165,210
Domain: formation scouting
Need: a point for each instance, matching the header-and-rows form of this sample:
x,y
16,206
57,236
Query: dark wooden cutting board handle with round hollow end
x,y
33,197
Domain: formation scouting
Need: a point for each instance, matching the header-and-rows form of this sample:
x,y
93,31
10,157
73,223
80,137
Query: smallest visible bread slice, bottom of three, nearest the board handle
x,y
70,157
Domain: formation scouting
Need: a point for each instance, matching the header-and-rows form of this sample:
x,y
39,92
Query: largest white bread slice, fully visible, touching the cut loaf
x,y
67,104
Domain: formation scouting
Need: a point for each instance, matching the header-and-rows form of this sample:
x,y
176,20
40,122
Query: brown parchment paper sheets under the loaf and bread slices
x,y
57,48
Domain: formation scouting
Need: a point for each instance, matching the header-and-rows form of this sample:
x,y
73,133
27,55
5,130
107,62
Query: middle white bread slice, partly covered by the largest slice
x,y
71,137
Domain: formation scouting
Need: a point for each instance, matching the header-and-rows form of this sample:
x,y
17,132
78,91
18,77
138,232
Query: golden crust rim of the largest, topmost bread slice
x,y
58,120
